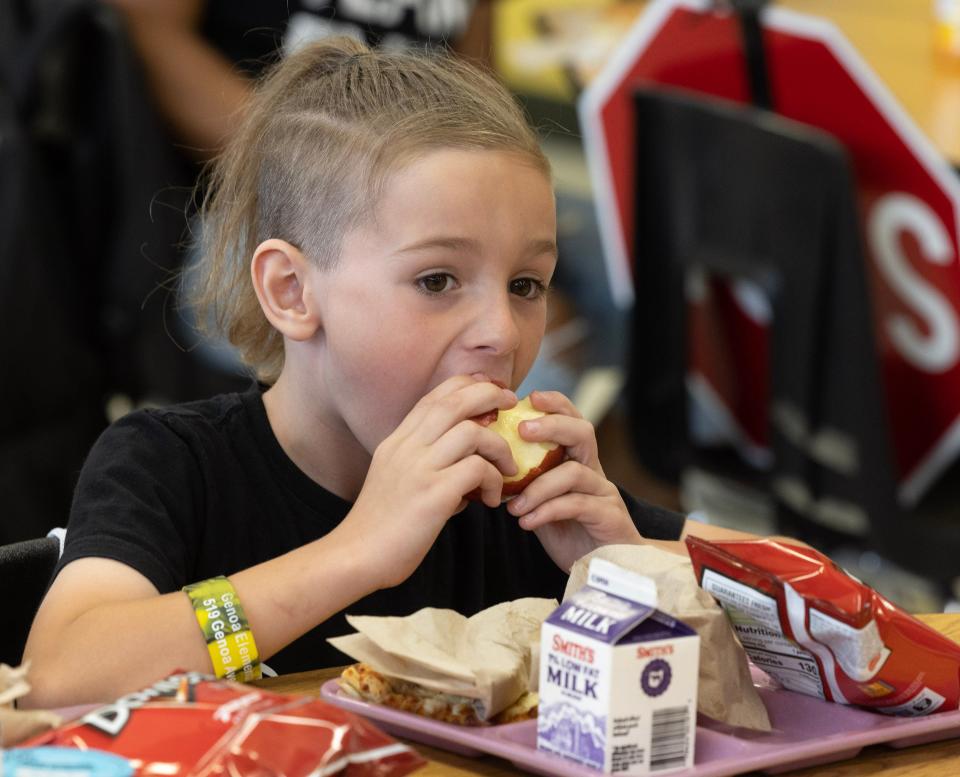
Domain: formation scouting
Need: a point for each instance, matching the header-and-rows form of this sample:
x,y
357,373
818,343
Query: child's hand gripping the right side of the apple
x,y
573,508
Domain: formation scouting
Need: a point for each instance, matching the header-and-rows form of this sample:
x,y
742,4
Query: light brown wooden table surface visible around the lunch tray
x,y
940,759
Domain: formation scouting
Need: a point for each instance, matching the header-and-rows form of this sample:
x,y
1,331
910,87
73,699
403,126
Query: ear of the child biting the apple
x,y
280,274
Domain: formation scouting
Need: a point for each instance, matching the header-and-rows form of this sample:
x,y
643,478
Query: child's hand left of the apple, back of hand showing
x,y
420,473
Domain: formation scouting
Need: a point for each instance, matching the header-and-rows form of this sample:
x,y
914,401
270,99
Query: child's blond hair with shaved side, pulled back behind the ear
x,y
311,155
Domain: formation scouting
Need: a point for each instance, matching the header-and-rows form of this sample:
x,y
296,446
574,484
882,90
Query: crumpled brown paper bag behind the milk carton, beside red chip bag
x,y
726,690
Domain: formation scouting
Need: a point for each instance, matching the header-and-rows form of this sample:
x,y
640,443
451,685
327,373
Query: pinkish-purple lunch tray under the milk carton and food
x,y
806,732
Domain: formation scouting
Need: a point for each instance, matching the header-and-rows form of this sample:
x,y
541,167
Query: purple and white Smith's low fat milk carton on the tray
x,y
618,678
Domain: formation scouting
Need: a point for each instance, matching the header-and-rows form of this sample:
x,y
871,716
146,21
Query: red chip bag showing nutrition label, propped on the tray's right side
x,y
820,631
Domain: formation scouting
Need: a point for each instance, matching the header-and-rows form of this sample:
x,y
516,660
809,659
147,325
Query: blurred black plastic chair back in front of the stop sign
x,y
732,192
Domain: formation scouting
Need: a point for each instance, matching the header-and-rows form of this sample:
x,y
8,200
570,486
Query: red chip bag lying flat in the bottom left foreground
x,y
191,724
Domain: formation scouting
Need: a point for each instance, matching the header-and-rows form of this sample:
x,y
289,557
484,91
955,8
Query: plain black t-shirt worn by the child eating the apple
x,y
188,492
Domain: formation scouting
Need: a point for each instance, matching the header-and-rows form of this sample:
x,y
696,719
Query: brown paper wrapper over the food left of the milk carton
x,y
484,657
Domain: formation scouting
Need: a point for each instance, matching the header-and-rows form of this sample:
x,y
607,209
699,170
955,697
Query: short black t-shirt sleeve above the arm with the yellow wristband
x,y
138,501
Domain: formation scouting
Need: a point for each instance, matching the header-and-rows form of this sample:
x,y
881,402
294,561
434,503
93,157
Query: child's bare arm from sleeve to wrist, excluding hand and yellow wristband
x,y
103,629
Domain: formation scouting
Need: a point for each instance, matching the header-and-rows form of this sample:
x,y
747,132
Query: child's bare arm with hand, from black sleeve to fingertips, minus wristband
x,y
104,630
